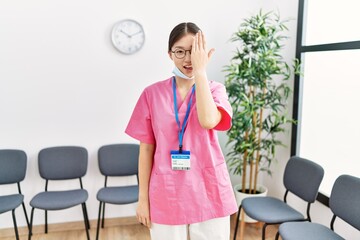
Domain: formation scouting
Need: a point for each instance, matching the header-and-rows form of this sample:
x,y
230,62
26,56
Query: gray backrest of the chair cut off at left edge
x,y
12,166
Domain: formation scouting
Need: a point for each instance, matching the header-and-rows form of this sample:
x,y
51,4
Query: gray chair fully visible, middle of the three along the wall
x,y
61,163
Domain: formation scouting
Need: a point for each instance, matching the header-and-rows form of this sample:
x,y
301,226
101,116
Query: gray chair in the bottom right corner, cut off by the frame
x,y
344,203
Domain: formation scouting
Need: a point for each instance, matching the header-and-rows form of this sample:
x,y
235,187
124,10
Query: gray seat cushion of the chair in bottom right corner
x,y
306,230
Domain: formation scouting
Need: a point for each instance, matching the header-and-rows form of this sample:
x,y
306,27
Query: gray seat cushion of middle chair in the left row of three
x,y
58,200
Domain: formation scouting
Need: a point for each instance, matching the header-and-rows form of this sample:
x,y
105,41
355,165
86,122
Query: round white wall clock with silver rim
x,y
128,36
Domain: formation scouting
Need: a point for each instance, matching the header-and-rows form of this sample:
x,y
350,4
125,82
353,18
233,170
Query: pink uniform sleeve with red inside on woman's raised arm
x,y
222,102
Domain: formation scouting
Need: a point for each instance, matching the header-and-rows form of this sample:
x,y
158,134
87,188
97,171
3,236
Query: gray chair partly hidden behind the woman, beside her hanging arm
x,y
117,160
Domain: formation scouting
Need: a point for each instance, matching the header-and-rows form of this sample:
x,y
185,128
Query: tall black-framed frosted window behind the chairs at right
x,y
327,96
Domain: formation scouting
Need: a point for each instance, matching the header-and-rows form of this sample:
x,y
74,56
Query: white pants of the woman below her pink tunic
x,y
213,229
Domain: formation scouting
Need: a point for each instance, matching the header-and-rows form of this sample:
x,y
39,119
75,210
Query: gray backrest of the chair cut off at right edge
x,y
345,199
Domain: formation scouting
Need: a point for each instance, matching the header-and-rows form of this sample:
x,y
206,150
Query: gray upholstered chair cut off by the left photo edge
x,y
13,164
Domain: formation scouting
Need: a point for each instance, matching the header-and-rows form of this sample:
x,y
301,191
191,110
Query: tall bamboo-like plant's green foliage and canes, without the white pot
x,y
257,85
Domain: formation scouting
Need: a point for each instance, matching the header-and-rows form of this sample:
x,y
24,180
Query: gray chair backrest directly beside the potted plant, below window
x,y
302,177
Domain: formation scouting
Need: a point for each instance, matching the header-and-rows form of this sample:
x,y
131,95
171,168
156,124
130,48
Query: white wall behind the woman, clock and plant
x,y
63,83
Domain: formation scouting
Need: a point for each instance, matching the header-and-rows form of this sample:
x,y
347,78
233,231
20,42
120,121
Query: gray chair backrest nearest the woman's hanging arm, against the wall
x,y
119,159
